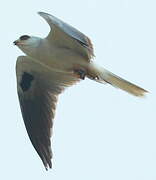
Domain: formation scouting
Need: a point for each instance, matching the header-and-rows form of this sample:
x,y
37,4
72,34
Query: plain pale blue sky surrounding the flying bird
x,y
100,132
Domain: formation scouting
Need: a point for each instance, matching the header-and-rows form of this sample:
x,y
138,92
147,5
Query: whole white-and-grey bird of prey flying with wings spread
x,y
49,66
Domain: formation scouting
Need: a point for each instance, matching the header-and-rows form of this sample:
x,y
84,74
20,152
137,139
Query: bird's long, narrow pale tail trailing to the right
x,y
102,75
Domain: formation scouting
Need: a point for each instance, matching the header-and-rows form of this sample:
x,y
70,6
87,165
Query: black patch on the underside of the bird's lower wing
x,y
26,81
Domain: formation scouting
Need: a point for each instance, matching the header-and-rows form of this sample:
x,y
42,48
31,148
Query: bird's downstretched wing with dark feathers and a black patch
x,y
38,89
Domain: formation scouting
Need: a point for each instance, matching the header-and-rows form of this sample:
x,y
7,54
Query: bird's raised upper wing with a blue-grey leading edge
x,y
65,35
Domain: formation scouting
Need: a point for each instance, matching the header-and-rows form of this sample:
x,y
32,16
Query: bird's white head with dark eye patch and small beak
x,y
27,44
